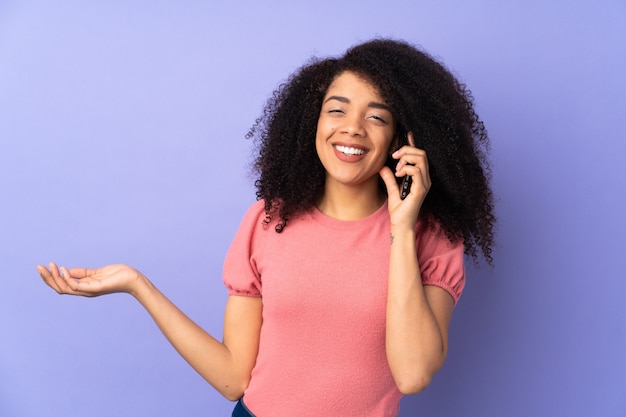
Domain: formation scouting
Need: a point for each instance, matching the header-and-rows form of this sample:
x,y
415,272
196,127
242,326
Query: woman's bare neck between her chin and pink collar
x,y
351,203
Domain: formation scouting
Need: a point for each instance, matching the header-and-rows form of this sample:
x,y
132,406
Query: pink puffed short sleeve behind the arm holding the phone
x,y
441,261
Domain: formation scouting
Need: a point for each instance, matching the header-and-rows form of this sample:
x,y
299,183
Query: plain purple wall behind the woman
x,y
121,133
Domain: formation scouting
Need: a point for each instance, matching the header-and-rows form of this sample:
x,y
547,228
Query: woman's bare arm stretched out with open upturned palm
x,y
226,365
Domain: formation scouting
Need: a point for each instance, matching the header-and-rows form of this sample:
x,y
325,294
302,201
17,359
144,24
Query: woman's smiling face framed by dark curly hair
x,y
354,132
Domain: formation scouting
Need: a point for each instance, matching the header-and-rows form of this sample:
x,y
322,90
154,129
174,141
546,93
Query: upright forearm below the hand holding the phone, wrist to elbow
x,y
416,345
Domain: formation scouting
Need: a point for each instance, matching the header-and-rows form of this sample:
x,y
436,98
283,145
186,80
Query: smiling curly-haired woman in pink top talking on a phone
x,y
341,288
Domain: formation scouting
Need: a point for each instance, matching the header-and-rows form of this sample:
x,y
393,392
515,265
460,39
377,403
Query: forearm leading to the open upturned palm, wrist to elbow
x,y
208,356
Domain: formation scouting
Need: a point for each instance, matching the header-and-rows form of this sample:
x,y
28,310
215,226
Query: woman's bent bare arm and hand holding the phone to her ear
x,y
418,316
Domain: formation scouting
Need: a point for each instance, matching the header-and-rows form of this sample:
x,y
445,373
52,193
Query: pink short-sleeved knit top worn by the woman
x,y
324,287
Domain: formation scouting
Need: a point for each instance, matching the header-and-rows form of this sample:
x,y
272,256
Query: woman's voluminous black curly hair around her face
x,y
425,98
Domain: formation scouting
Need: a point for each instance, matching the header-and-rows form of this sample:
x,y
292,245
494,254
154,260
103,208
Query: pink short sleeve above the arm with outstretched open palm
x,y
240,274
